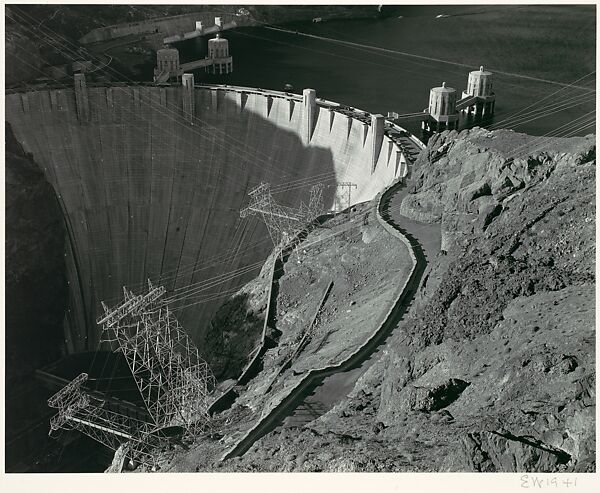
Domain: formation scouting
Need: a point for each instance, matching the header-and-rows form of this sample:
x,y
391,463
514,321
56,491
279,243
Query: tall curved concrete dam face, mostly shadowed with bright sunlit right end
x,y
151,181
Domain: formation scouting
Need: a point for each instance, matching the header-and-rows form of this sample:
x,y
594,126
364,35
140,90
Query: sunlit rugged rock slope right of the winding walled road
x,y
494,370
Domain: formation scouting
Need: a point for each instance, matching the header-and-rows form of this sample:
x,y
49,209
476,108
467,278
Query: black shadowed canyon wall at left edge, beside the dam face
x,y
36,288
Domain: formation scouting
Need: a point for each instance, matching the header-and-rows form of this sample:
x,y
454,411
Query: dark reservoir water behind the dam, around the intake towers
x,y
540,45
